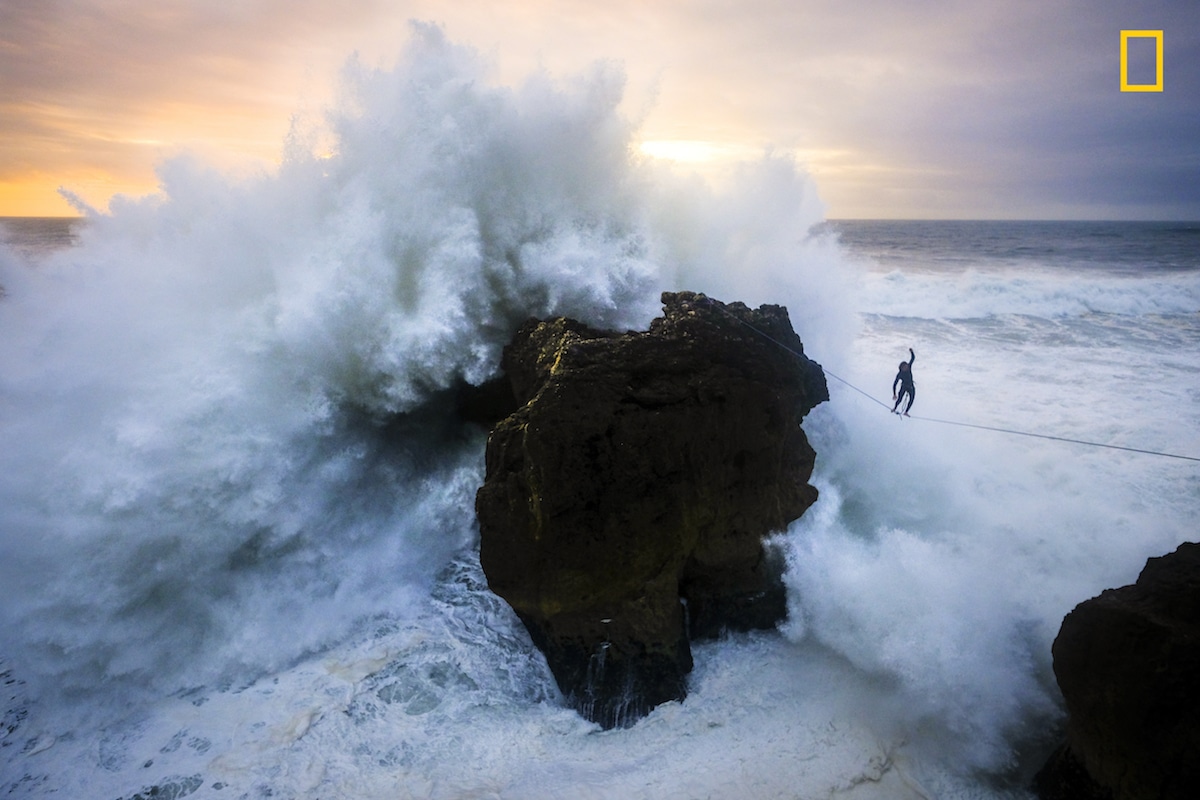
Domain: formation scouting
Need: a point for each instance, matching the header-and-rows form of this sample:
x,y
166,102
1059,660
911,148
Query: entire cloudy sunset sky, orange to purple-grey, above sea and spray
x,y
901,109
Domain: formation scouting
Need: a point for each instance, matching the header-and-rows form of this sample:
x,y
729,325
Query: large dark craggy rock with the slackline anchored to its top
x,y
627,501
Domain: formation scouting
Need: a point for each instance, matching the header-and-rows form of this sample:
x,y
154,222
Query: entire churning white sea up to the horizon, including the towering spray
x,y
238,550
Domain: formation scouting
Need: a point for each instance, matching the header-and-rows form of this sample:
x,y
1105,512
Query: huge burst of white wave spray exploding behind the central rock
x,y
221,410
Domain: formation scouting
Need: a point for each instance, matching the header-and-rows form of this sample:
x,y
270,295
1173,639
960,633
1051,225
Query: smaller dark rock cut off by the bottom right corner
x,y
1129,665
